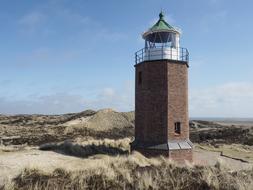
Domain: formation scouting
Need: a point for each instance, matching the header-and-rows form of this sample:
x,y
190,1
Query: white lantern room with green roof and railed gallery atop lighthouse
x,y
162,41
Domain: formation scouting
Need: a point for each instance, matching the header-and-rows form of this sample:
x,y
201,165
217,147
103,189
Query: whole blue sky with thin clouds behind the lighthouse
x,y
59,56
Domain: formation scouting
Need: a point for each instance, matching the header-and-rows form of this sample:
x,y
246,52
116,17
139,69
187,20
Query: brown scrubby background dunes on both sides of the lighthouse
x,y
40,129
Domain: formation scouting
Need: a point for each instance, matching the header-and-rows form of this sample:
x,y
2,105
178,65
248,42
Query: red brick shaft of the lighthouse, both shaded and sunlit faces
x,y
161,100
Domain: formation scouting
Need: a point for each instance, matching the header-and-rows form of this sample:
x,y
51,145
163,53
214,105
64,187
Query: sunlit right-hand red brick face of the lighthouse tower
x,y
178,100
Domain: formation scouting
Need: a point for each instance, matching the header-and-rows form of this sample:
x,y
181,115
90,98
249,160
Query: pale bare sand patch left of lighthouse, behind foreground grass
x,y
11,163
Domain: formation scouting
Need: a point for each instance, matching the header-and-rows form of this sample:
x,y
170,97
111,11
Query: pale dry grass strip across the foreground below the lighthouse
x,y
135,172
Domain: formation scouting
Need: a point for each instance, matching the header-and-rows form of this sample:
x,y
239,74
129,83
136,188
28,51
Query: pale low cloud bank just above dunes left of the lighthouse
x,y
64,102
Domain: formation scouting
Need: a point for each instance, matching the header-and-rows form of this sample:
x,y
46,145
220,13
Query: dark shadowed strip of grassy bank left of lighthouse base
x,y
82,151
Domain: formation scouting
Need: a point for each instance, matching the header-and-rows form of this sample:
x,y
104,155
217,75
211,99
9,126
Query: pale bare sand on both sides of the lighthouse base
x,y
12,163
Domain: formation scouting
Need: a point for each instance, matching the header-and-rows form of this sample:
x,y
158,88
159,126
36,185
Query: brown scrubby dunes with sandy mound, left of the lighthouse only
x,y
40,129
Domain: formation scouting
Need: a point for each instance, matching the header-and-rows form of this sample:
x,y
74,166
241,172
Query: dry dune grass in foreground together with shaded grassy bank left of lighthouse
x,y
117,169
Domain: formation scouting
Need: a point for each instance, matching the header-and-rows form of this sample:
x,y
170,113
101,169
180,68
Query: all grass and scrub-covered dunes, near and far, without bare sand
x,y
102,138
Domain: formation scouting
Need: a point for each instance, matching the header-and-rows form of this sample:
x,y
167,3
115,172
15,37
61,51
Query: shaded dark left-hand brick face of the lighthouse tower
x,y
151,103
